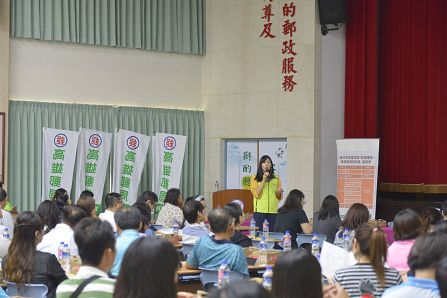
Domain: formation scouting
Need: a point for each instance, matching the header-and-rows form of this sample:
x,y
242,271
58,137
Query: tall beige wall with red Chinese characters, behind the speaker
x,y
241,86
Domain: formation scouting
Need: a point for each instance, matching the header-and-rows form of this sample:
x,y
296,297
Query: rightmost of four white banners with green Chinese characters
x,y
168,151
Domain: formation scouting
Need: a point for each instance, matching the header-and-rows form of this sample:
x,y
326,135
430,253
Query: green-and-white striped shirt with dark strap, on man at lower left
x,y
99,288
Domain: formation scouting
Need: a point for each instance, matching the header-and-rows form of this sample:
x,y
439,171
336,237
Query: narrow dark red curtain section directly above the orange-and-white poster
x,y
361,69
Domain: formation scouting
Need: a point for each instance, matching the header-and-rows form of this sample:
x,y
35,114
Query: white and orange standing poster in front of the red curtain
x,y
357,168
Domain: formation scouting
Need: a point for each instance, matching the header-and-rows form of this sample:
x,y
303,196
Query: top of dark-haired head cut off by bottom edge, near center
x,y
241,289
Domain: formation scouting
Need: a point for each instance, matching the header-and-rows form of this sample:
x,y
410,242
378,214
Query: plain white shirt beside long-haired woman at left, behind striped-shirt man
x,y
60,233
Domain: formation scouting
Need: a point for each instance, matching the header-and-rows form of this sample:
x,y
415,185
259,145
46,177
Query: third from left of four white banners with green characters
x,y
130,152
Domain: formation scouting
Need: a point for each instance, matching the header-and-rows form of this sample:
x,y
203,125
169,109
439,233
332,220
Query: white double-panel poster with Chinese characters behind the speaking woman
x,y
242,158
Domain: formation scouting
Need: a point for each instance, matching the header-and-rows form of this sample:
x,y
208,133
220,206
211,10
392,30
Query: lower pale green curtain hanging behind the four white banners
x,y
26,120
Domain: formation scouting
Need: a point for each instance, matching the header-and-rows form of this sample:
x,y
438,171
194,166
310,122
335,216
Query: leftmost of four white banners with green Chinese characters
x,y
58,159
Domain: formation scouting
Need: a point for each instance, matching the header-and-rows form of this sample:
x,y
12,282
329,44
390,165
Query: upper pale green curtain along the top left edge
x,y
161,25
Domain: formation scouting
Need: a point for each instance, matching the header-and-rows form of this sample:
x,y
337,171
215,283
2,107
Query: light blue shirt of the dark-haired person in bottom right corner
x,y
414,287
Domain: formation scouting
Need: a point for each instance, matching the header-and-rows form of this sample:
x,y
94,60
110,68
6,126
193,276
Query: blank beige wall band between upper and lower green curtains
x,y
73,73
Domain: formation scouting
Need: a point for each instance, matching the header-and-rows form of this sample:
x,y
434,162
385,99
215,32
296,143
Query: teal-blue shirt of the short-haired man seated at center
x,y
208,253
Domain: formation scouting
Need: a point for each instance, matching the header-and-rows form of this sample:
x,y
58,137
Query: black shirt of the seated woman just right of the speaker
x,y
291,221
